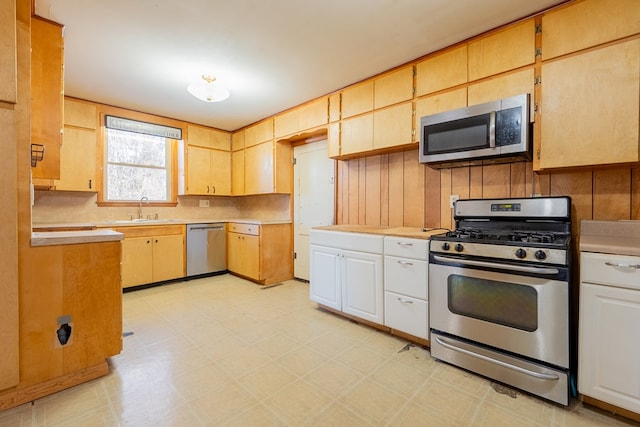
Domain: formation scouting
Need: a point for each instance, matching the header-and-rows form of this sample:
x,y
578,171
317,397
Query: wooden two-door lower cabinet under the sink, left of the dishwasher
x,y
152,254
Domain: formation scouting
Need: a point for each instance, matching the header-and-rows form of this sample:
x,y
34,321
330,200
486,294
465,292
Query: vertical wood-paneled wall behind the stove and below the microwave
x,y
396,190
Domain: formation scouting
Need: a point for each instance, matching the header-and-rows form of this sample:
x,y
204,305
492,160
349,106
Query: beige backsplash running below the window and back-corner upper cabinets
x,y
55,207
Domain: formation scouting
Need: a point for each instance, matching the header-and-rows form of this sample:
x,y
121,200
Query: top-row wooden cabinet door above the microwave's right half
x,y
505,50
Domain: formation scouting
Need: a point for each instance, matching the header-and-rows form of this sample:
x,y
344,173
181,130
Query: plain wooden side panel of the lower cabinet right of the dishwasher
x,y
277,252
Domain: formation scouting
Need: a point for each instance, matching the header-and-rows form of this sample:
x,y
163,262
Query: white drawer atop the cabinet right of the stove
x,y
595,269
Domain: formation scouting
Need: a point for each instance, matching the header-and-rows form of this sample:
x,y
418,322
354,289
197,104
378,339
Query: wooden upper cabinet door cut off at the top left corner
x,y
8,89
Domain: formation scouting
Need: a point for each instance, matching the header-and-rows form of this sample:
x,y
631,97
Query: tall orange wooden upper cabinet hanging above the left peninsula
x,y
47,53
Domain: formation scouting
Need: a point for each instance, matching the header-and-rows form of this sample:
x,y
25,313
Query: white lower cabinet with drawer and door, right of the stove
x,y
609,343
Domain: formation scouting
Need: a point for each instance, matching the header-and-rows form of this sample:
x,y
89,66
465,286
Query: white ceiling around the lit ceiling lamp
x,y
271,54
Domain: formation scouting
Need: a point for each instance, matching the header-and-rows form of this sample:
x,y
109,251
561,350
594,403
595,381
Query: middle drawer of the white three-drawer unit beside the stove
x,y
406,276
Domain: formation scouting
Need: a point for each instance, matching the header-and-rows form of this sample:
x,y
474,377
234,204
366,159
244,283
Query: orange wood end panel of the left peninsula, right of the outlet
x,y
93,299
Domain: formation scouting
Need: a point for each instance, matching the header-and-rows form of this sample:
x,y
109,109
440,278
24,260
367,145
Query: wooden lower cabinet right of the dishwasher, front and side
x,y
262,253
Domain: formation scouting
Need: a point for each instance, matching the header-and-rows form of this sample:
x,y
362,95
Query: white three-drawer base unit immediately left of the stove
x,y
405,284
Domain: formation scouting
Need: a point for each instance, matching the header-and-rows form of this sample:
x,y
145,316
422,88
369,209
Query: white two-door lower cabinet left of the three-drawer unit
x,y
346,273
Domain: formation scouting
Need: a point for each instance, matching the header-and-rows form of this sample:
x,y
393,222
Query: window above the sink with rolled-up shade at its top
x,y
138,161
